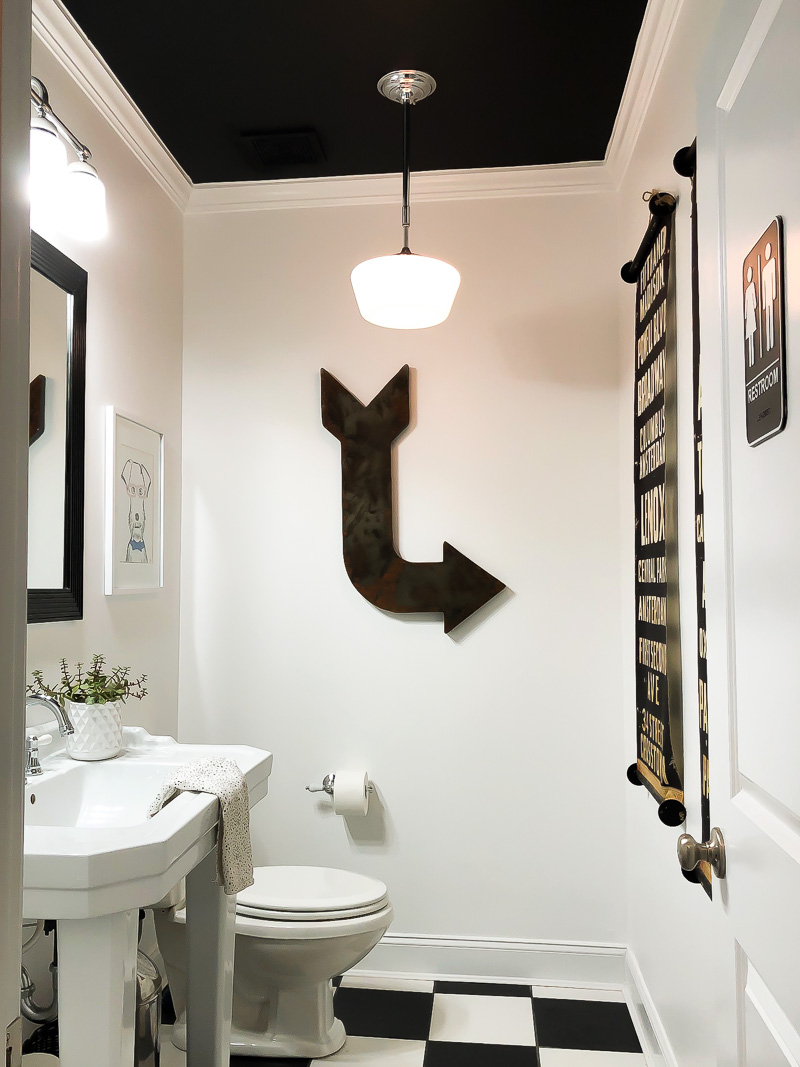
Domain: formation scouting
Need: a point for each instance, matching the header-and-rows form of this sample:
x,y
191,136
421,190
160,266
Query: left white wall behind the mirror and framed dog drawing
x,y
134,362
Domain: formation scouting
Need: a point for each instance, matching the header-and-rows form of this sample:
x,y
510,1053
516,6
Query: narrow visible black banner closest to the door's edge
x,y
685,164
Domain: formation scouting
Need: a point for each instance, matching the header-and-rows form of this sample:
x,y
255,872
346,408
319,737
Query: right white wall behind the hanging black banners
x,y
670,921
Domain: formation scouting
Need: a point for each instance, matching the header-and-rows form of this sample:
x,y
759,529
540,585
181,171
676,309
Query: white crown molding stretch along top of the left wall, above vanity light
x,y
63,38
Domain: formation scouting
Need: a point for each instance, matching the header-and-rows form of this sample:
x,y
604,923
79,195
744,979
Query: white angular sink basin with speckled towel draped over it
x,y
78,865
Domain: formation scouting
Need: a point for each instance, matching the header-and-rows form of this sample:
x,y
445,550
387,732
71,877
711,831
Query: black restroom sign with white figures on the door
x,y
765,352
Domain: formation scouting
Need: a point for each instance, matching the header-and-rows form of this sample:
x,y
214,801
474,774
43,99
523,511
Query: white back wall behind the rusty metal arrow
x,y
495,752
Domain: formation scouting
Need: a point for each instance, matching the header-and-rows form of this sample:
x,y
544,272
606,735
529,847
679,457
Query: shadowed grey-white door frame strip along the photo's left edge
x,y
15,59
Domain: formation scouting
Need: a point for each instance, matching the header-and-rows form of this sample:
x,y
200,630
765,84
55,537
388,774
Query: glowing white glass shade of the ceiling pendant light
x,y
405,292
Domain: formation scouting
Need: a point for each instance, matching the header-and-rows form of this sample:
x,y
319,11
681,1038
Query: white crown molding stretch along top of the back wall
x,y
428,186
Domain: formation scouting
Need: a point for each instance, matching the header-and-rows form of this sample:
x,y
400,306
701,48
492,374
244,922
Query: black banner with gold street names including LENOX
x,y
659,700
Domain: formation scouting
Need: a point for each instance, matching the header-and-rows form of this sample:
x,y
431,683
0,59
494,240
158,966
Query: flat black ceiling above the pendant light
x,y
520,83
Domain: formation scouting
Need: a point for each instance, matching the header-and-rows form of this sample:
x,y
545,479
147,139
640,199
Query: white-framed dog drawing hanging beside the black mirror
x,y
135,506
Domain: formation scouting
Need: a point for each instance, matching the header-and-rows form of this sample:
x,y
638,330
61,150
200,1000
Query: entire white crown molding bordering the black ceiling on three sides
x,y
61,36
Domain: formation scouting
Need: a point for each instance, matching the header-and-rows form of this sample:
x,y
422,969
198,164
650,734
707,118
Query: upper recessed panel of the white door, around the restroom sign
x,y
762,156
